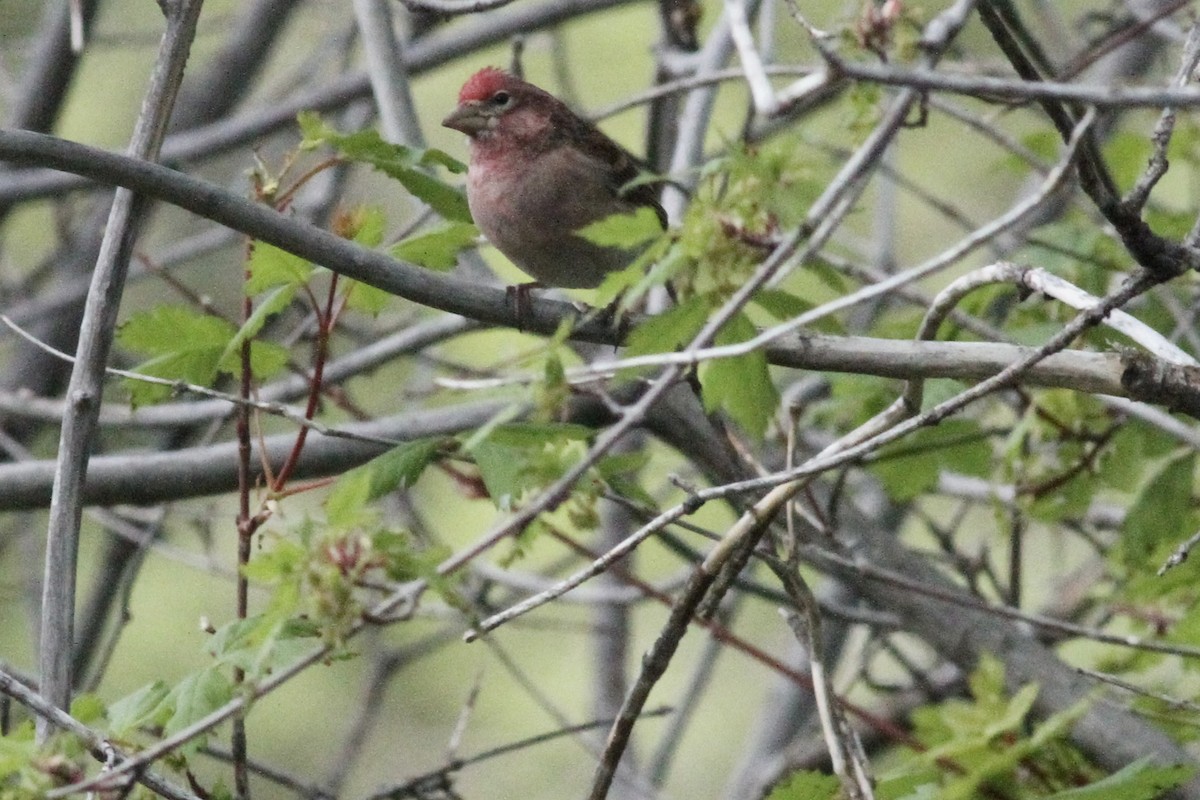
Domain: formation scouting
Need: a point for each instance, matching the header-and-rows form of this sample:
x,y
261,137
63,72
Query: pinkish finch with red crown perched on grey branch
x,y
539,173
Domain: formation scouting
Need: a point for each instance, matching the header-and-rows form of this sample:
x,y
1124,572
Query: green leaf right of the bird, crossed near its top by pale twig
x,y
741,386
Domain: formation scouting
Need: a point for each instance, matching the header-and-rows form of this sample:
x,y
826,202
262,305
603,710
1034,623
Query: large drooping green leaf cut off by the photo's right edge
x,y
1161,512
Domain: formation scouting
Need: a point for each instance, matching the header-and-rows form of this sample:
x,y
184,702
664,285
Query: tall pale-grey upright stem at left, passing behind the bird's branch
x,y
87,376
